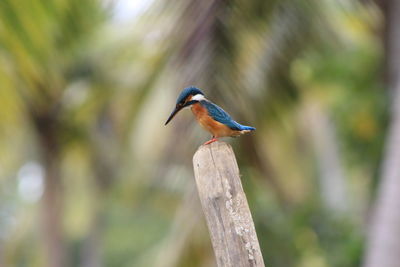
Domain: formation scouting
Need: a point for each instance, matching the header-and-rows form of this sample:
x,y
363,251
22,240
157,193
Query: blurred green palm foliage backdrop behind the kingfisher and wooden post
x,y
90,176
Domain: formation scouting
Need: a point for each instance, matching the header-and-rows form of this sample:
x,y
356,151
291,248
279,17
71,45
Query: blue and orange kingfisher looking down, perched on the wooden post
x,y
210,116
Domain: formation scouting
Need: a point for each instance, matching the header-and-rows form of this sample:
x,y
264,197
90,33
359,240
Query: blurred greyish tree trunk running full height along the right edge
x,y
383,247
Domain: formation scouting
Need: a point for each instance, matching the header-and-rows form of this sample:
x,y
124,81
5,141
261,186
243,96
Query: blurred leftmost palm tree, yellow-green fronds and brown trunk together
x,y
41,42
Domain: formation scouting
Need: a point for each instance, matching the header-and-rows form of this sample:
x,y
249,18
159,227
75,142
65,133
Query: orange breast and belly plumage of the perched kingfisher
x,y
216,128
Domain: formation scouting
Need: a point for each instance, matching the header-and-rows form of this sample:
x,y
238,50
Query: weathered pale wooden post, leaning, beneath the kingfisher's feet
x,y
225,207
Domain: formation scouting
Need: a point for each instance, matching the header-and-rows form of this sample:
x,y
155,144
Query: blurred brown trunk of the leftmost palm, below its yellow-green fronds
x,y
46,126
